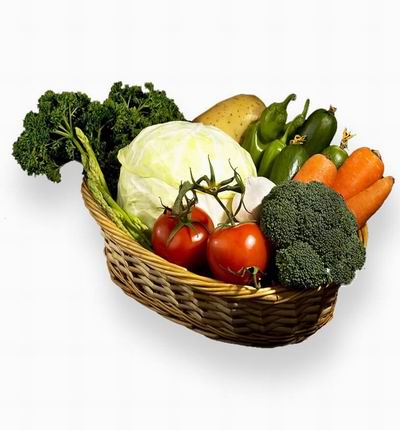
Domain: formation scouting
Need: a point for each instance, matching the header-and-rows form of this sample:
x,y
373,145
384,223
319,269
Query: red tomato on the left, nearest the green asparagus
x,y
188,247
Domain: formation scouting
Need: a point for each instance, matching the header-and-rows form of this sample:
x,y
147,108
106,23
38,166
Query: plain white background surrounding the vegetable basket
x,y
75,352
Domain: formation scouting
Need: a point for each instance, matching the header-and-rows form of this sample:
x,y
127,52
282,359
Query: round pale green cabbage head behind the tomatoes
x,y
160,157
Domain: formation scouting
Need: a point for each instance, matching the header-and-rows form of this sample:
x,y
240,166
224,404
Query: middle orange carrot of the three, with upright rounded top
x,y
363,167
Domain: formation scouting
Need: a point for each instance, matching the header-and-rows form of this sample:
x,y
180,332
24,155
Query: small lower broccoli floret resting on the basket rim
x,y
299,266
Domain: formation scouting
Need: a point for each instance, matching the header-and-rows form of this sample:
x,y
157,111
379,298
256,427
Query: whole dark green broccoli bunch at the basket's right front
x,y
317,217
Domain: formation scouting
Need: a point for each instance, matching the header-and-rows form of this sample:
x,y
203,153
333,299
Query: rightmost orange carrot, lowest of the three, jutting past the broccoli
x,y
364,204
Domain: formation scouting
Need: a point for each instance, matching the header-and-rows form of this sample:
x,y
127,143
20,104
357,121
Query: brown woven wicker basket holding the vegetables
x,y
267,317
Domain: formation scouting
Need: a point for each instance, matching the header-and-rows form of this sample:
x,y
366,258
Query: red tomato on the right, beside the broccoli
x,y
233,252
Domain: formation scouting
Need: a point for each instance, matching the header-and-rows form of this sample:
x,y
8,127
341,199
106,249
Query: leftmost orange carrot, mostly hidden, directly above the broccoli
x,y
317,168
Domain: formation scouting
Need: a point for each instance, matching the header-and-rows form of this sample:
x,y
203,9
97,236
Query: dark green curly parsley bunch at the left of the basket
x,y
109,126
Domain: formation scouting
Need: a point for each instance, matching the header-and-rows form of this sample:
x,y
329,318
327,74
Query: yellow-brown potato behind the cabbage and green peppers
x,y
233,115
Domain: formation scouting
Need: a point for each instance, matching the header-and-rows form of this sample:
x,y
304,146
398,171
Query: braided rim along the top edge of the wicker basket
x,y
274,293
